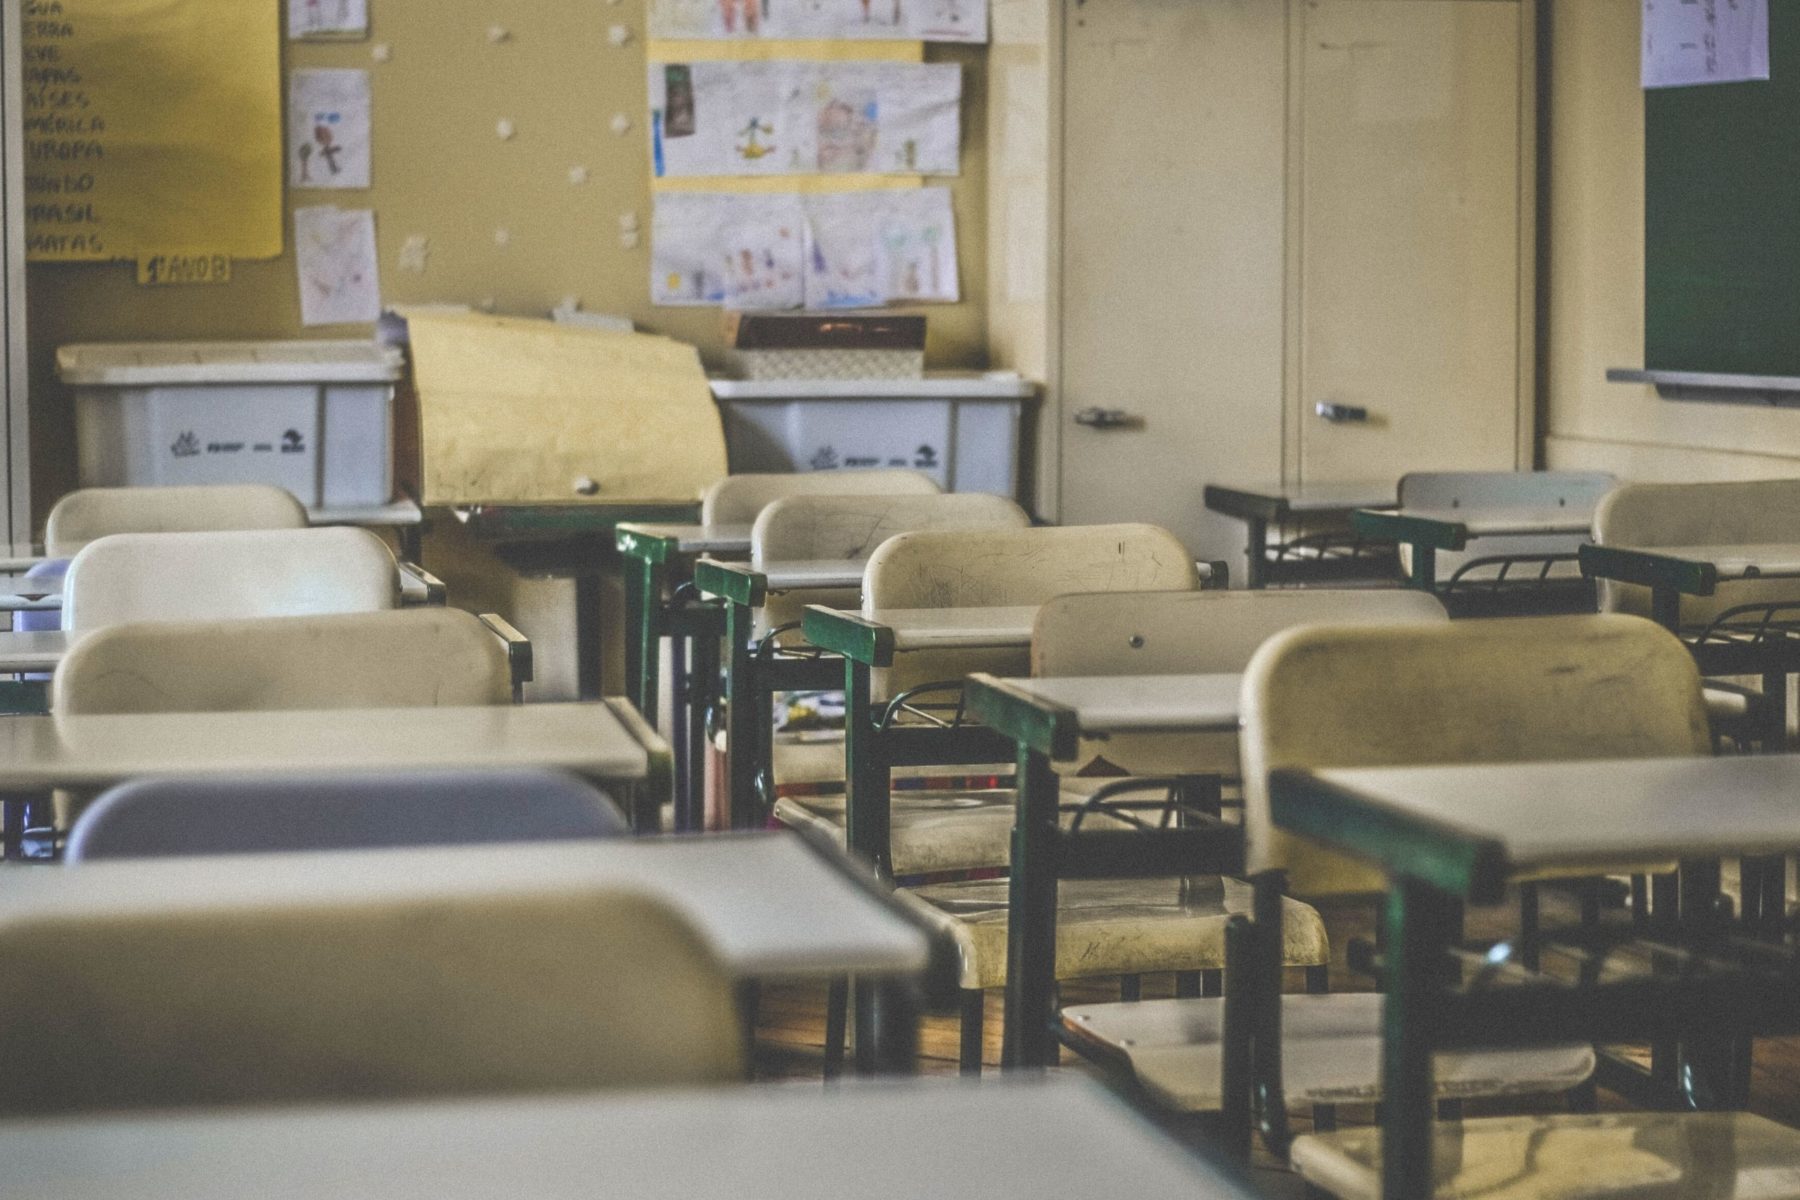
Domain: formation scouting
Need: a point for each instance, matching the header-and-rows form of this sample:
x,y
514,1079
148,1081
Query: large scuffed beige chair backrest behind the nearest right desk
x,y
1473,692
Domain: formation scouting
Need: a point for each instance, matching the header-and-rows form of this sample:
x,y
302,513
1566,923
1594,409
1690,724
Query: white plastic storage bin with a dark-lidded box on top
x,y
960,429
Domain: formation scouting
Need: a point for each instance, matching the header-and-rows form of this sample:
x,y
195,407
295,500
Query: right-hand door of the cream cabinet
x,y
1408,244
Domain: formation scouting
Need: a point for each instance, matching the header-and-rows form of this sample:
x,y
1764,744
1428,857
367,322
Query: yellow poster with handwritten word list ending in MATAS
x,y
152,129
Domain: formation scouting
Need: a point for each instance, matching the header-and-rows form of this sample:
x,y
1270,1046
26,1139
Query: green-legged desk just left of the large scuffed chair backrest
x,y
1048,719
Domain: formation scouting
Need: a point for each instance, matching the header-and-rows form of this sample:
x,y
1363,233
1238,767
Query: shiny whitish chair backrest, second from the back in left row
x,y
226,577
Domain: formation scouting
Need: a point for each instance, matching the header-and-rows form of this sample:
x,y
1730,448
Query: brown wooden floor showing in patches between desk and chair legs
x,y
791,1039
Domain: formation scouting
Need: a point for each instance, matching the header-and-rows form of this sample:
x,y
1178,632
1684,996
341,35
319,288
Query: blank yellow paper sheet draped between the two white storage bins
x,y
521,411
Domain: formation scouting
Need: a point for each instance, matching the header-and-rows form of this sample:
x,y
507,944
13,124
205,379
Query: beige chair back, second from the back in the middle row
x,y
850,528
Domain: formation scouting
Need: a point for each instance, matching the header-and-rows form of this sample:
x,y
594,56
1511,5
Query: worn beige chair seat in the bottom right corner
x,y
1578,1158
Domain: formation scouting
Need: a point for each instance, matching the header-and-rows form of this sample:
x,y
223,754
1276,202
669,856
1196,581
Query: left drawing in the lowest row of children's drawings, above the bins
x,y
728,249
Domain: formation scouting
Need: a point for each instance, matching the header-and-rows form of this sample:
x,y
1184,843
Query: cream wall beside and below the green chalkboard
x,y
1597,282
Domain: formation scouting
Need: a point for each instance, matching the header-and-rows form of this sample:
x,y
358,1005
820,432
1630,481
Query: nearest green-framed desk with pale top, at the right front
x,y
1457,834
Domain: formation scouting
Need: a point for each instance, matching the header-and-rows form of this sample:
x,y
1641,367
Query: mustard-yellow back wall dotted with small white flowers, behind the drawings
x,y
442,172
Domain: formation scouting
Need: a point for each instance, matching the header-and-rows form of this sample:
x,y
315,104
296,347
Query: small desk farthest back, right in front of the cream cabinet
x,y
1317,555
